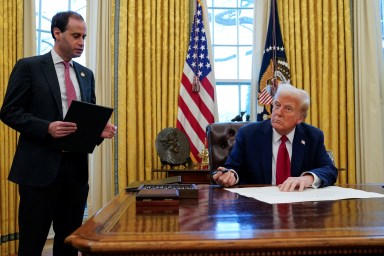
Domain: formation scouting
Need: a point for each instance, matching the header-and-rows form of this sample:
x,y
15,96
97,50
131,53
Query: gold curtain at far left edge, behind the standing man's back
x,y
11,49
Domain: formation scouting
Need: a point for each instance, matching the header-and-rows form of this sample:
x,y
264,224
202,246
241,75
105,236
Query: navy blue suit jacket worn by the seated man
x,y
251,156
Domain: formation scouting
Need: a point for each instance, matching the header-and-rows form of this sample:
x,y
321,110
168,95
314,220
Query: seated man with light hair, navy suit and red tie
x,y
256,157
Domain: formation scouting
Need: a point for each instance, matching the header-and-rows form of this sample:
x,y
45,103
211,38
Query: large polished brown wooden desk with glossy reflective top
x,y
223,223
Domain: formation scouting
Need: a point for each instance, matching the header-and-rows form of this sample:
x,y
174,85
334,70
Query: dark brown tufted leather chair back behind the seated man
x,y
220,138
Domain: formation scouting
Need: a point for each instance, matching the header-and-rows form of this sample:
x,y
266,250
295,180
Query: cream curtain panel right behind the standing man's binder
x,y
98,59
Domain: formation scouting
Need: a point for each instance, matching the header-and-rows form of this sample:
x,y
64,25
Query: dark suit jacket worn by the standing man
x,y
31,103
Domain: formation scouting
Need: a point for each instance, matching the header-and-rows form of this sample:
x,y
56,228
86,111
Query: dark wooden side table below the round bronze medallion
x,y
187,175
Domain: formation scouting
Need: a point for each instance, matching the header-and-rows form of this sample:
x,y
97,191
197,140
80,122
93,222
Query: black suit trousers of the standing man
x,y
62,204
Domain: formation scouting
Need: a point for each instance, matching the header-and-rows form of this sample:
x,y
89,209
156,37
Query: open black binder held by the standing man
x,y
91,120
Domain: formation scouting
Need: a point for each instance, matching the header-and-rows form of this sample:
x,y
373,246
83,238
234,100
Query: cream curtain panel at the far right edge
x,y
369,87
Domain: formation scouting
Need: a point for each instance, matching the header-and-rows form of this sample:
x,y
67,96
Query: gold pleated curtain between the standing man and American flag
x,y
152,44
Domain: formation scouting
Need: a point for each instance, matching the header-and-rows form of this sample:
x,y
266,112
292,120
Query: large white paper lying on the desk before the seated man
x,y
273,195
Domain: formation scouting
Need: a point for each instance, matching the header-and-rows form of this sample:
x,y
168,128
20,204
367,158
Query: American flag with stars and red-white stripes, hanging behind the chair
x,y
197,92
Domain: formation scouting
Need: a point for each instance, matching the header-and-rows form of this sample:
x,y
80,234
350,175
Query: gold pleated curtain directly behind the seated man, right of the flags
x,y
318,41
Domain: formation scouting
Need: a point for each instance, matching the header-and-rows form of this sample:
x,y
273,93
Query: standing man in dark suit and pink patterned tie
x,y
53,185
